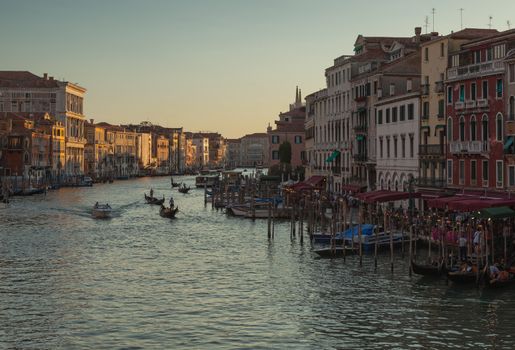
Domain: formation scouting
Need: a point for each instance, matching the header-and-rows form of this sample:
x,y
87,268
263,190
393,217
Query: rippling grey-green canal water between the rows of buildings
x,y
209,281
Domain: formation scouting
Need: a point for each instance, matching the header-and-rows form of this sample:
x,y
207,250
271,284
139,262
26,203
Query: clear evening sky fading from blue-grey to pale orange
x,y
229,66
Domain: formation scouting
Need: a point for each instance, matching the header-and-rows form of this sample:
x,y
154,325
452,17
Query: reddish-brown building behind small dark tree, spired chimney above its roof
x,y
289,127
